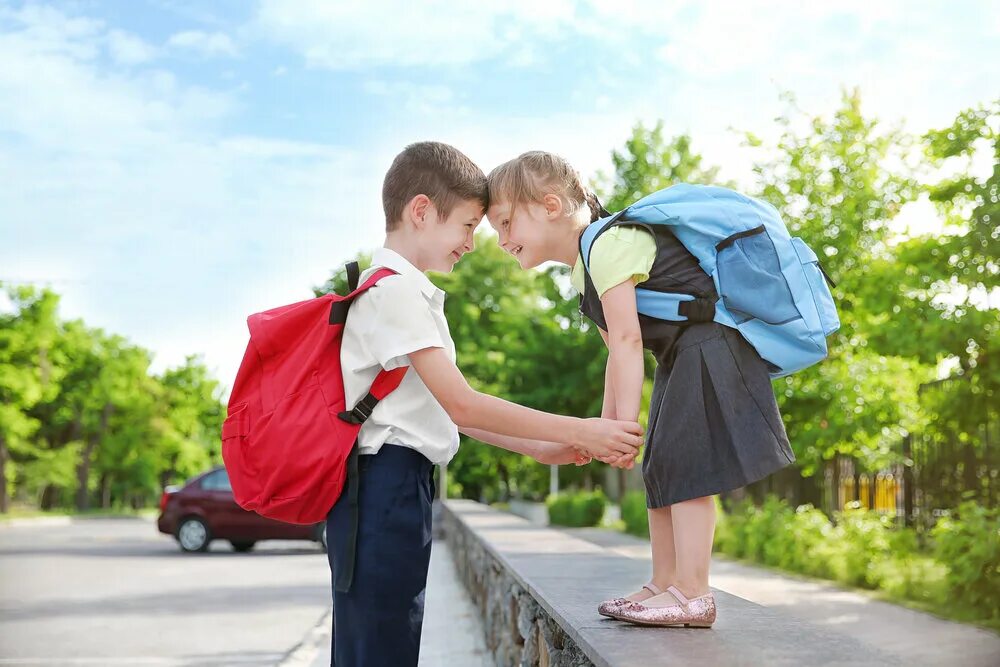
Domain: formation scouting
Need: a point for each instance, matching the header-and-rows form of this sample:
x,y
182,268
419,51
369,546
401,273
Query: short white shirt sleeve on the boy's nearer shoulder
x,y
401,323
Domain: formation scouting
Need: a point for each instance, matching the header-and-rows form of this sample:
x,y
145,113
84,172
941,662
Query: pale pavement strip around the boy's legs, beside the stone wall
x,y
453,633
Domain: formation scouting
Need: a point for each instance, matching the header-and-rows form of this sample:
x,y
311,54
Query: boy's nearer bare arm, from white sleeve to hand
x,y
471,409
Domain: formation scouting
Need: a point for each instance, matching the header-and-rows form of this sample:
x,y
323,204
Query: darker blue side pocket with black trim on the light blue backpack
x,y
751,283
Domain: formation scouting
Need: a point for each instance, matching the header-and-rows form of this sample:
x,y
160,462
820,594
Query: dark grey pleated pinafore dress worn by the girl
x,y
713,420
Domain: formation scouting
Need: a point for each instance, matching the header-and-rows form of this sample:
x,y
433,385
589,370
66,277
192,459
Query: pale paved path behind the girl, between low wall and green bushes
x,y
912,636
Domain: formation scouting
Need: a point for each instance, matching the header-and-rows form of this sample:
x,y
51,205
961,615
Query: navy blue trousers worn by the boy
x,y
377,620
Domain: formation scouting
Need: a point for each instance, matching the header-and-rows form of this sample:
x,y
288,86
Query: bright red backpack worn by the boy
x,y
288,435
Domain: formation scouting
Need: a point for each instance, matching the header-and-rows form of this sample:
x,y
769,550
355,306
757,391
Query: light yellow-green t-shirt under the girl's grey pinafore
x,y
619,254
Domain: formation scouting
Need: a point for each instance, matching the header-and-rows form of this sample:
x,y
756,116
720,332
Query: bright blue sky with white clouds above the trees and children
x,y
171,166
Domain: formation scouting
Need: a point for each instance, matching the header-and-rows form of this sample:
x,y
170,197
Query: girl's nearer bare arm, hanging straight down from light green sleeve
x,y
625,357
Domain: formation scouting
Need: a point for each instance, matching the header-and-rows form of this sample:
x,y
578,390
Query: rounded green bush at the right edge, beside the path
x,y
969,542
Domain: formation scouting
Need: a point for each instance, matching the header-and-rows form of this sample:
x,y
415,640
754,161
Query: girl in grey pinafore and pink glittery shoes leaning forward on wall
x,y
713,420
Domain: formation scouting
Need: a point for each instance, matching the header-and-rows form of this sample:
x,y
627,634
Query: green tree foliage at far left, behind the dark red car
x,y
82,419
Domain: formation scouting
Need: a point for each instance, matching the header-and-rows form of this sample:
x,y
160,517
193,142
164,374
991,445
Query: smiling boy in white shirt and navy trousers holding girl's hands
x,y
379,548
